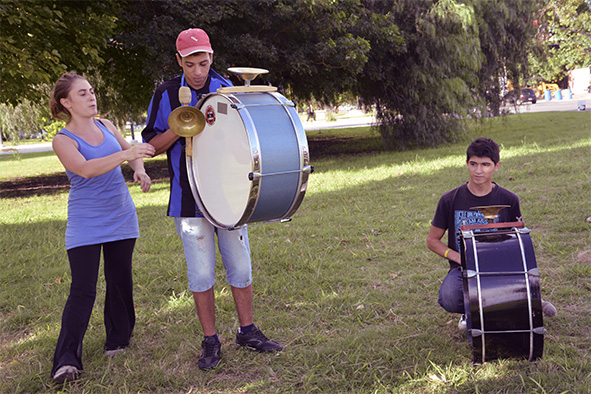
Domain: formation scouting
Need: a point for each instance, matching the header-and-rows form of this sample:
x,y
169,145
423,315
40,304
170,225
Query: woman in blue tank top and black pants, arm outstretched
x,y
101,216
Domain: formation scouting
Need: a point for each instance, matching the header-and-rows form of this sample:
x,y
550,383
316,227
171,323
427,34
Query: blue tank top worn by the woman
x,y
100,209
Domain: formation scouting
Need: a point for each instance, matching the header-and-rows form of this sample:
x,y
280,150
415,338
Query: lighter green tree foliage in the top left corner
x,y
43,39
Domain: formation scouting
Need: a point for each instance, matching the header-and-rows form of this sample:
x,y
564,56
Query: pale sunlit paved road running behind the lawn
x,y
540,106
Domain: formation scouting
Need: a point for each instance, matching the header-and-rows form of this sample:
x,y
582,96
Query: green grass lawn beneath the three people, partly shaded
x,y
349,285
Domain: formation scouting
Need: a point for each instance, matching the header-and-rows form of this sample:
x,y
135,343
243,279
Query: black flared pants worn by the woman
x,y
119,313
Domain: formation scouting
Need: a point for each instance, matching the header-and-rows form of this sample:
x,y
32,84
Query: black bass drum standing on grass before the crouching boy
x,y
501,292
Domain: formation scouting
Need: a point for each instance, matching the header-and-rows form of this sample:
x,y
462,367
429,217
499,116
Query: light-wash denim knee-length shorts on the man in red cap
x,y
198,237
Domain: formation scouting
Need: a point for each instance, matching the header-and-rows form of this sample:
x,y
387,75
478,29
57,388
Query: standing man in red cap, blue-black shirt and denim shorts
x,y
194,56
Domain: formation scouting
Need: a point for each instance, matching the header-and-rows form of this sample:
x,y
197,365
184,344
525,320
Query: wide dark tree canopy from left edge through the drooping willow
x,y
423,64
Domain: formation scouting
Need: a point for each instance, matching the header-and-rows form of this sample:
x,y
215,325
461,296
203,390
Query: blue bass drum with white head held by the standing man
x,y
251,161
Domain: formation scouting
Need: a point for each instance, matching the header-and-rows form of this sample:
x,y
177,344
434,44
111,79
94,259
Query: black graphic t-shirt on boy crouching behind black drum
x,y
453,211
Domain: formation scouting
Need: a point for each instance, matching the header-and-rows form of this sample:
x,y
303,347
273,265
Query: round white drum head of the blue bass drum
x,y
221,162
